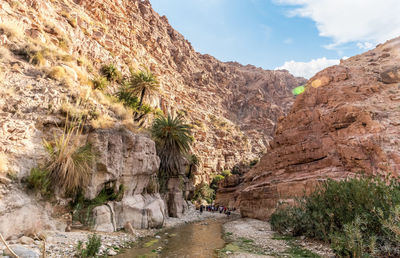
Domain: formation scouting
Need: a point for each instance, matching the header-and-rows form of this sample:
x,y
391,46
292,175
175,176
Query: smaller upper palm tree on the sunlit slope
x,y
143,83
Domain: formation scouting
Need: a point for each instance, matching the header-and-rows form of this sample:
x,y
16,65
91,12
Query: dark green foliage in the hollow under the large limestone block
x,y
82,208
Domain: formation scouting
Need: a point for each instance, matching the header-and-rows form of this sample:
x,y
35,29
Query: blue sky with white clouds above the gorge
x,y
302,36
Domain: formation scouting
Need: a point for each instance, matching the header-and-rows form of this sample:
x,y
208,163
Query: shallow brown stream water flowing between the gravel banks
x,y
199,239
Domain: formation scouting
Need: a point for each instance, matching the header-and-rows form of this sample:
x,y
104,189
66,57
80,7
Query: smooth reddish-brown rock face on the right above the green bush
x,y
347,122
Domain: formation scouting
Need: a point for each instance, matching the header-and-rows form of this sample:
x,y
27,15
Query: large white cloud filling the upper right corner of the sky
x,y
366,22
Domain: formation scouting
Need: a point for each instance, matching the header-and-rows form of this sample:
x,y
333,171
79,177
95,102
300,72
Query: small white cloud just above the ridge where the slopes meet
x,y
308,69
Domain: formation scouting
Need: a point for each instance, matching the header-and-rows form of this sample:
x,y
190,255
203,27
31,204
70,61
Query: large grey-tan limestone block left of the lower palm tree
x,y
124,158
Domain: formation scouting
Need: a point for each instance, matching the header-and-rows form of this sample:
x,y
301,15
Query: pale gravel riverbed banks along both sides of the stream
x,y
245,238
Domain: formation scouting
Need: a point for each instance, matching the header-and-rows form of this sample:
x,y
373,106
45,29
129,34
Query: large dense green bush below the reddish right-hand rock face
x,y
358,216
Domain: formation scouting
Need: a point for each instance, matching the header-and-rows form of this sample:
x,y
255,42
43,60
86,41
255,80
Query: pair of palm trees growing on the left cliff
x,y
172,134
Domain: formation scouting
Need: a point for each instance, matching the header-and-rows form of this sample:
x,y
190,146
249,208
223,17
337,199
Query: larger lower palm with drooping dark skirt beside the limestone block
x,y
173,138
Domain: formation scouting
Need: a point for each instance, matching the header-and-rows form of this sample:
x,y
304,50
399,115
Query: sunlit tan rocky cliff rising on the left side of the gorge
x,y
51,51
